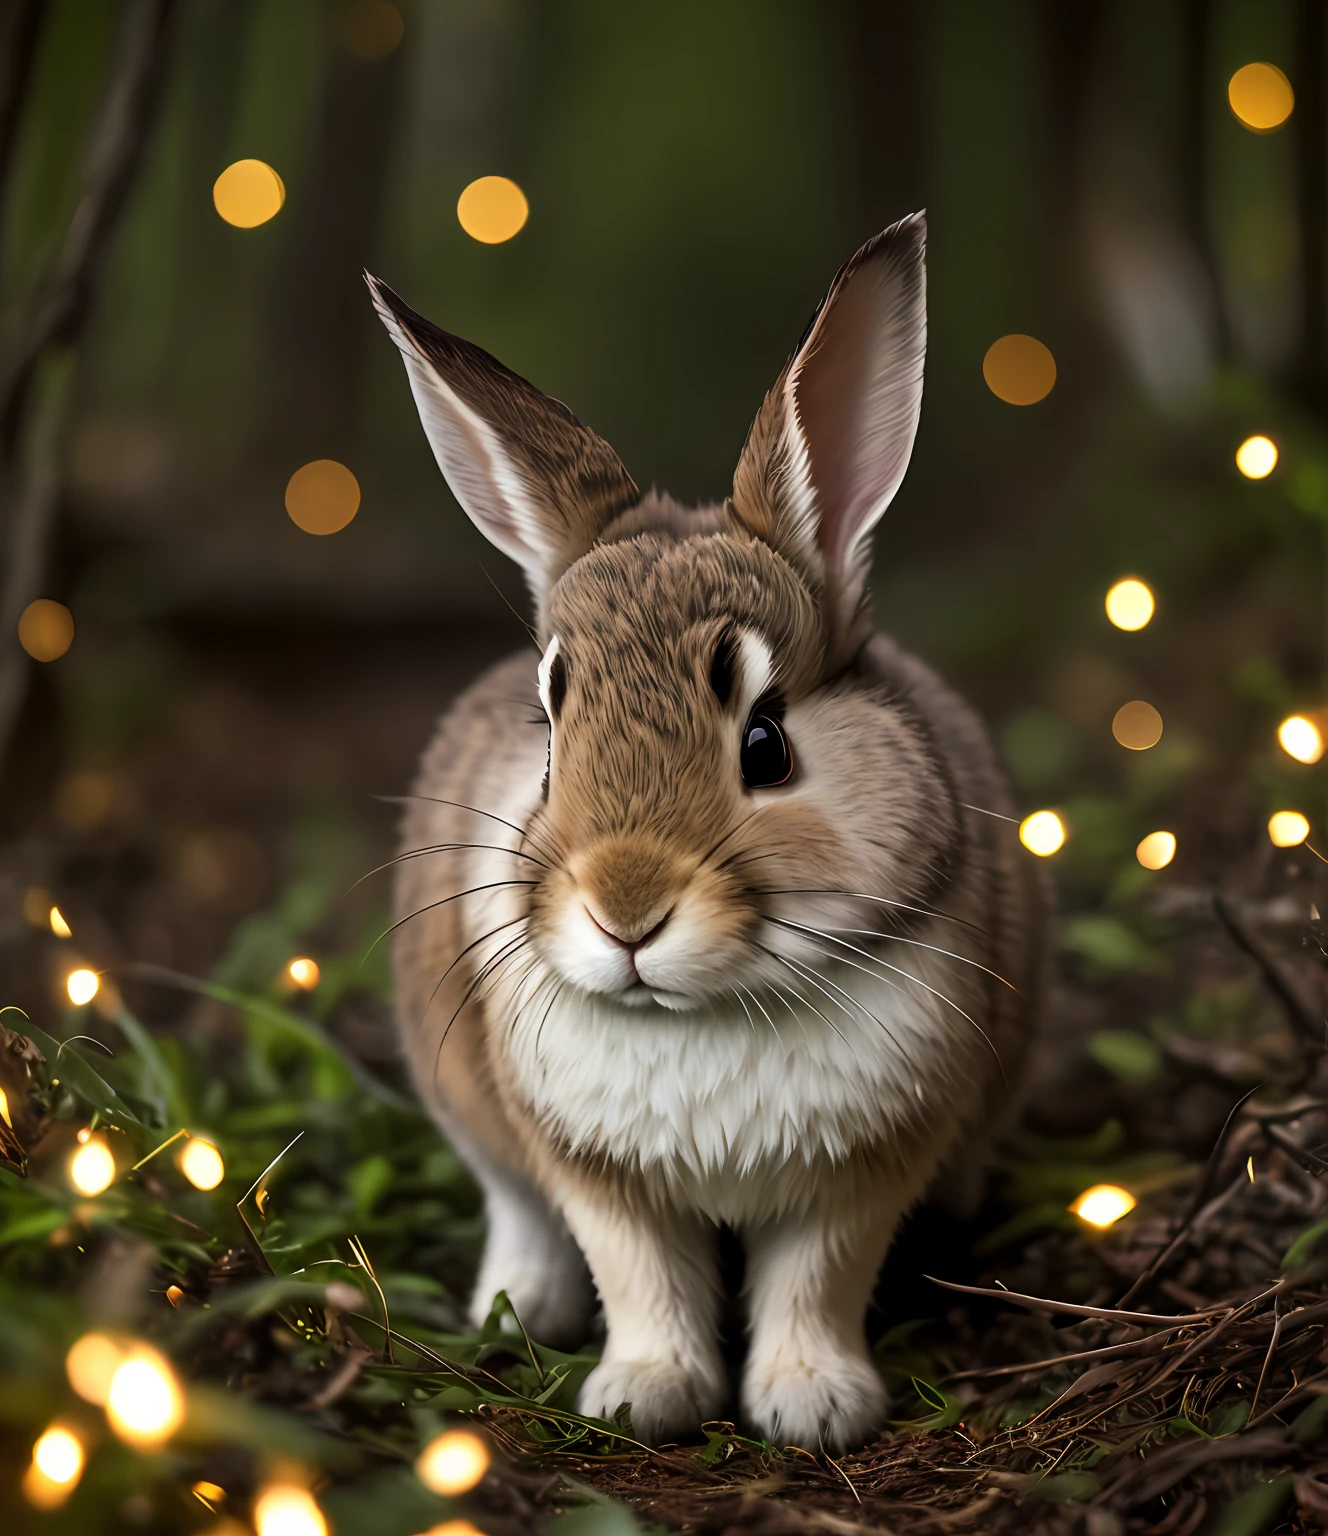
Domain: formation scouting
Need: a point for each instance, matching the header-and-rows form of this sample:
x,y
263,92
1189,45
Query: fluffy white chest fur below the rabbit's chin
x,y
724,1108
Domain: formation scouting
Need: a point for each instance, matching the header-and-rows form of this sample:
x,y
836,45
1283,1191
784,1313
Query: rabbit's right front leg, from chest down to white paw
x,y
810,1379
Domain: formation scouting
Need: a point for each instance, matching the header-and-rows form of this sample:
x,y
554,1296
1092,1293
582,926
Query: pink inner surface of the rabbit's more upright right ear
x,y
857,397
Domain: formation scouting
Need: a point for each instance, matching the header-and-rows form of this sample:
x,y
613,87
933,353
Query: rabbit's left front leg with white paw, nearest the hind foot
x,y
658,1280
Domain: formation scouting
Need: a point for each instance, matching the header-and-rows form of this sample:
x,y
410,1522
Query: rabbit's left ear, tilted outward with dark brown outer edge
x,y
535,480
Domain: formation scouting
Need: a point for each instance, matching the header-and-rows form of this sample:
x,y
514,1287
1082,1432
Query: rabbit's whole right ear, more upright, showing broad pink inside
x,y
833,440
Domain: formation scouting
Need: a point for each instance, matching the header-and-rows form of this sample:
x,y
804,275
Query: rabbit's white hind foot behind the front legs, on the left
x,y
529,1254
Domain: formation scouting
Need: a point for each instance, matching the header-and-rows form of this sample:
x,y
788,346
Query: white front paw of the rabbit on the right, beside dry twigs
x,y
831,1405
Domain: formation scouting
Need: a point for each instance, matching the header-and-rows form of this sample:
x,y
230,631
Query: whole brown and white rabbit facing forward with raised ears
x,y
702,913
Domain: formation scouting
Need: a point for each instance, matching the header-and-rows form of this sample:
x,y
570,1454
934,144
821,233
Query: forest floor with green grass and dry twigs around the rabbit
x,y
1168,1374
